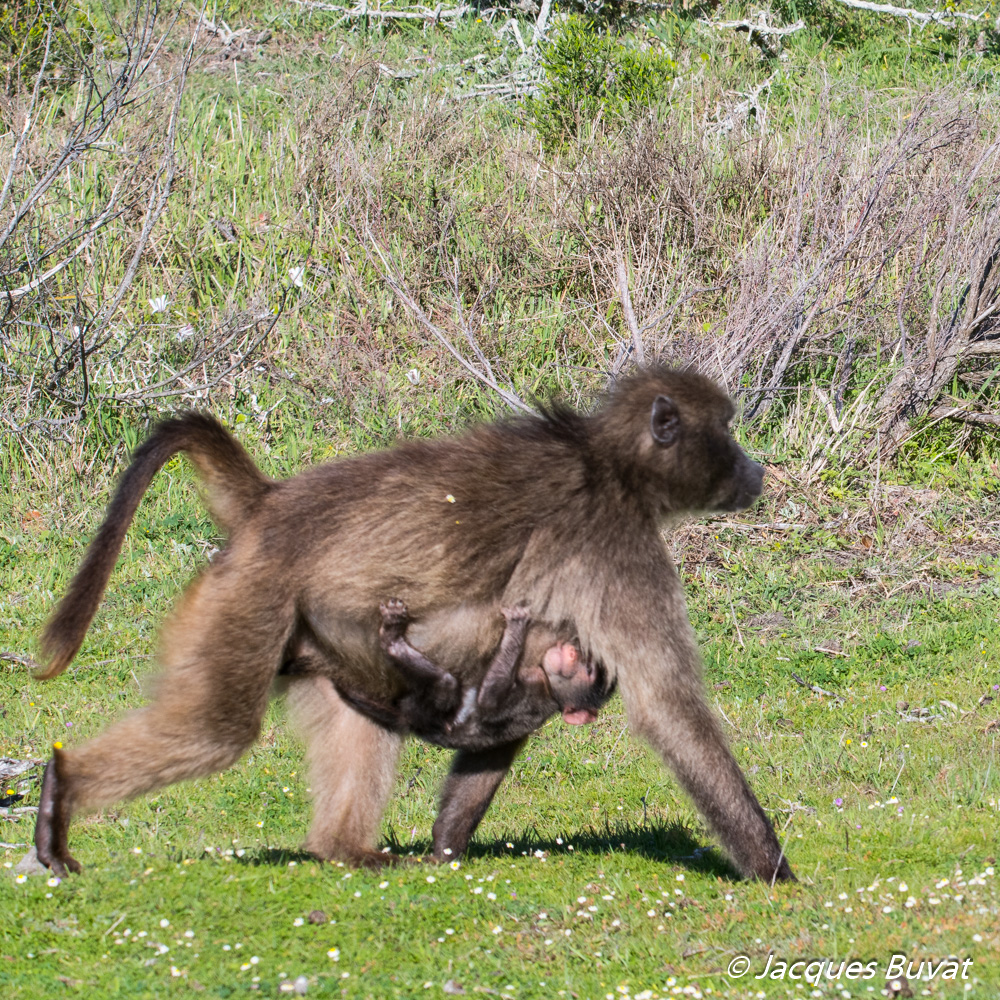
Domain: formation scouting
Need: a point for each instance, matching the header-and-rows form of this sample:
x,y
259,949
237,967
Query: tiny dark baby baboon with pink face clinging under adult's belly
x,y
508,704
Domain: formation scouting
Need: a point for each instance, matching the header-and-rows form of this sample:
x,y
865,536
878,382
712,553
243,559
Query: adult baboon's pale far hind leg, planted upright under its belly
x,y
352,767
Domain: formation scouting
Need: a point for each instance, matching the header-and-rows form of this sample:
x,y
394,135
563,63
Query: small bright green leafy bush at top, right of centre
x,y
590,72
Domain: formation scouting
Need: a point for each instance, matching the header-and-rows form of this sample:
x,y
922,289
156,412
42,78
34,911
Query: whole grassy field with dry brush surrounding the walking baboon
x,y
327,177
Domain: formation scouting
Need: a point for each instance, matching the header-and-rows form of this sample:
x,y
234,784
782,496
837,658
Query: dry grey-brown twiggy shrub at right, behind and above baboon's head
x,y
863,267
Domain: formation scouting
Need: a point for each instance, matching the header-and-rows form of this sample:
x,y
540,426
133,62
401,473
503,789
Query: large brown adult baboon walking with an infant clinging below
x,y
560,512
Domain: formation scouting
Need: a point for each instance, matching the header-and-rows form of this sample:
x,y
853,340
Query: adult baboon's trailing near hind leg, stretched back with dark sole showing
x,y
218,660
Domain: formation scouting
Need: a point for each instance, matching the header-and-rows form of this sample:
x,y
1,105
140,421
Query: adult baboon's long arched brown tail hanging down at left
x,y
234,485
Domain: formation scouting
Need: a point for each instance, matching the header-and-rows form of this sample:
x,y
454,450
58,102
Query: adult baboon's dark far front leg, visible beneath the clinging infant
x,y
468,791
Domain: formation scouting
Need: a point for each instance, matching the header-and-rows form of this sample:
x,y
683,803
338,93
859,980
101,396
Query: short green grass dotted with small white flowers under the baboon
x,y
864,801
